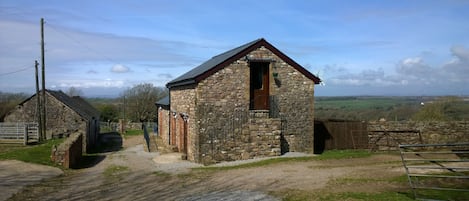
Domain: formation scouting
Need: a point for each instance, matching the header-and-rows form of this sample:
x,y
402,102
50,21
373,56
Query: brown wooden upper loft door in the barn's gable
x,y
259,86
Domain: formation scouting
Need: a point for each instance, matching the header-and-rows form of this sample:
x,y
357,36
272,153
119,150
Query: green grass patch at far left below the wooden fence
x,y
39,154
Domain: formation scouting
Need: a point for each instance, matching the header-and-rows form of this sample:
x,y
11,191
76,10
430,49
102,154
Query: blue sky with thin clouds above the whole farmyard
x,y
376,48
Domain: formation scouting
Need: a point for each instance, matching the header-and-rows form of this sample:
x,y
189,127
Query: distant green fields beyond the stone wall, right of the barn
x,y
376,107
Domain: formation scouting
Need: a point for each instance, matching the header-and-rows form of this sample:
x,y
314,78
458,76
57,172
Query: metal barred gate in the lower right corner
x,y
433,169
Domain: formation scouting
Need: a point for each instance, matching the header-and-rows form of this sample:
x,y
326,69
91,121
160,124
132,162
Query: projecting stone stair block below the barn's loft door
x,y
242,136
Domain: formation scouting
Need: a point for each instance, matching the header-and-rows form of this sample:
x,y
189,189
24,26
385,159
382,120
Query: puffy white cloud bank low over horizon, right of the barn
x,y
411,74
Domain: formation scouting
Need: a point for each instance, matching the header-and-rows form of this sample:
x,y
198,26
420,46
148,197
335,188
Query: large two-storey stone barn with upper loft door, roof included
x,y
251,101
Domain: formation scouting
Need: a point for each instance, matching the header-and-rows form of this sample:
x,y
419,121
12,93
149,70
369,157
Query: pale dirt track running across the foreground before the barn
x,y
136,176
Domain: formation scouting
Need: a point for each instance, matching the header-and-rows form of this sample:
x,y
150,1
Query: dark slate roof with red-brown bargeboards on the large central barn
x,y
220,61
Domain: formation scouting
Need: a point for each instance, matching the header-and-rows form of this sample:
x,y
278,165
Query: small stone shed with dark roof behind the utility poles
x,y
64,115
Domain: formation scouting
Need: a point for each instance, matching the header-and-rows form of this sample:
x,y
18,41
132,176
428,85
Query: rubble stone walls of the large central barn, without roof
x,y
219,124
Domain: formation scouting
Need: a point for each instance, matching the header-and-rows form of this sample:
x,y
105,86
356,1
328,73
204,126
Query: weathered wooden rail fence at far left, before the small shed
x,y
19,133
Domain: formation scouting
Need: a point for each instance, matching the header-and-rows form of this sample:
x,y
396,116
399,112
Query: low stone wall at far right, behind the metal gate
x,y
386,135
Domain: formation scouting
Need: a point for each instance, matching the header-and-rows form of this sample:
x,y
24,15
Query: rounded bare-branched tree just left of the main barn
x,y
139,102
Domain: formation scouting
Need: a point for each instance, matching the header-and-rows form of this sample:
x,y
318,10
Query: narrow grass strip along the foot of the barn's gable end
x,y
327,155
